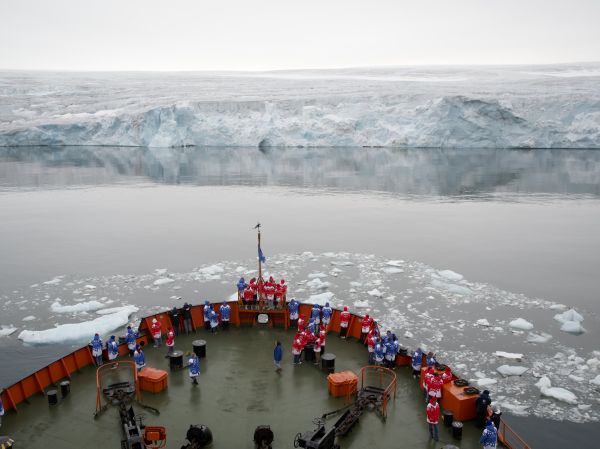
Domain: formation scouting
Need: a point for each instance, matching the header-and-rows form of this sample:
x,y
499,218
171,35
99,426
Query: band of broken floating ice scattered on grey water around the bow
x,y
468,324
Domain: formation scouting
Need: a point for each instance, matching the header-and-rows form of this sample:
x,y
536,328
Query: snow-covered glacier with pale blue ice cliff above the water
x,y
501,107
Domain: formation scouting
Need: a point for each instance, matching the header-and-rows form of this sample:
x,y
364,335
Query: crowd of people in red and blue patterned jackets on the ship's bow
x,y
310,336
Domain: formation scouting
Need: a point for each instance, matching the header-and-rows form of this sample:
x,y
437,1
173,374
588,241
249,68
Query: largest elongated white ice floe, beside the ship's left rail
x,y
79,332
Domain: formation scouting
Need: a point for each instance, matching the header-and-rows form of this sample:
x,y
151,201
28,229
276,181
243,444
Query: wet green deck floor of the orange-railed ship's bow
x,y
239,390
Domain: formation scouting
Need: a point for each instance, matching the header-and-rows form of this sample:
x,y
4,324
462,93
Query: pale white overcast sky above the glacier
x,y
287,34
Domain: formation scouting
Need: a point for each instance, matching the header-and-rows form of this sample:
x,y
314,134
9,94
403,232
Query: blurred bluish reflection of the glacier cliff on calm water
x,y
477,174
